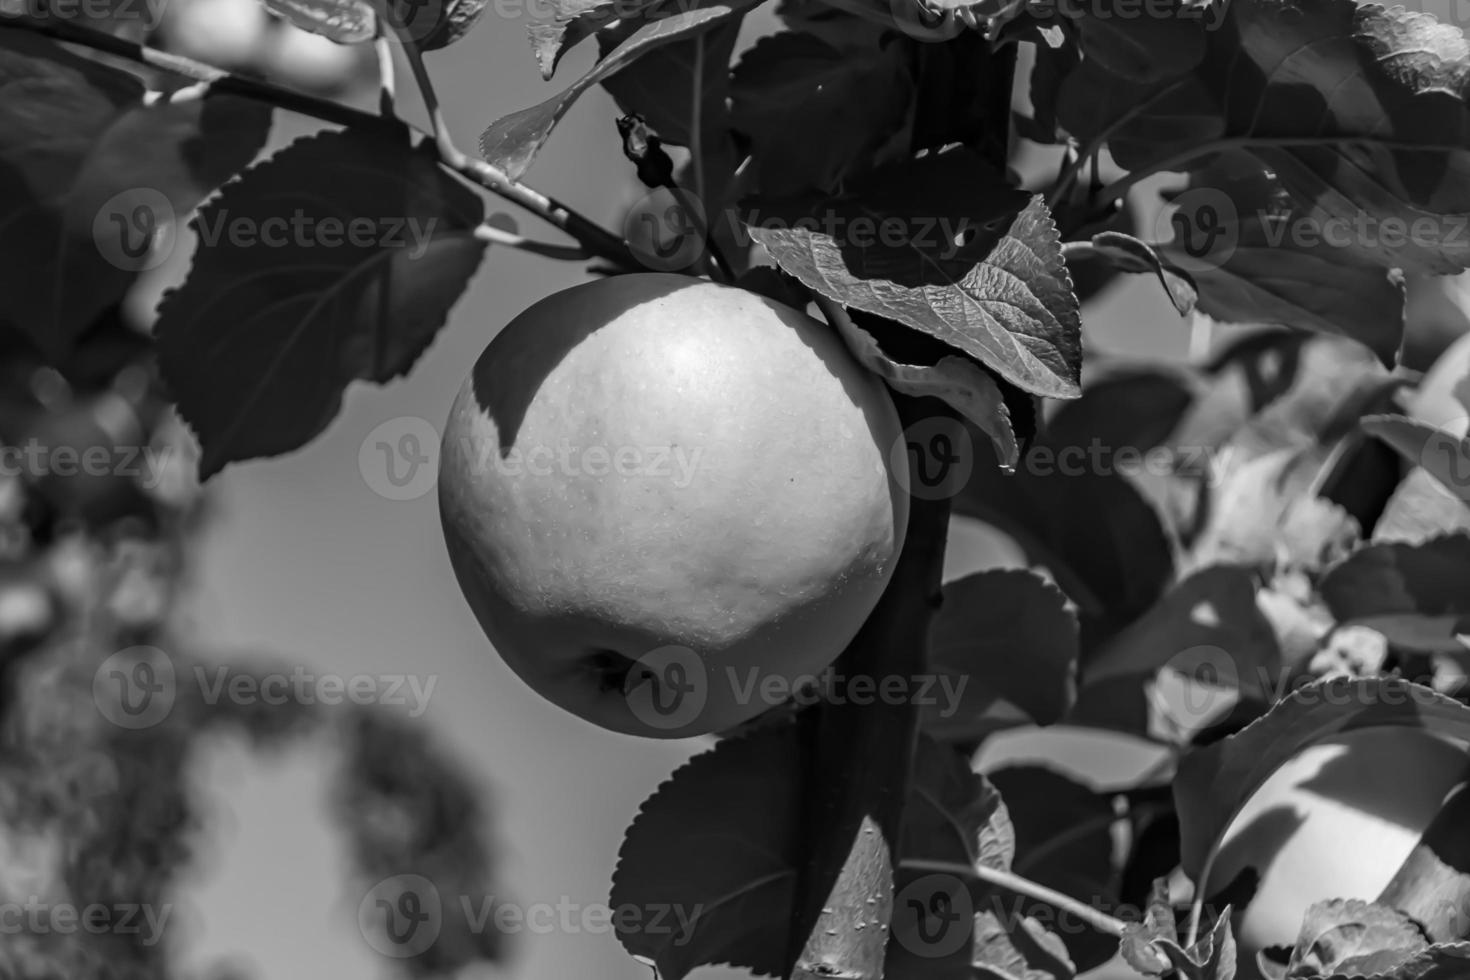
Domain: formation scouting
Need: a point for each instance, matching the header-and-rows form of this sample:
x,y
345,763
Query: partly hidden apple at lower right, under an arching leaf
x,y
1337,821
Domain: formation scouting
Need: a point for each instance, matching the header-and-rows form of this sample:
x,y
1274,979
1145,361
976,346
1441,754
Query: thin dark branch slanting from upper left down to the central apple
x,y
595,239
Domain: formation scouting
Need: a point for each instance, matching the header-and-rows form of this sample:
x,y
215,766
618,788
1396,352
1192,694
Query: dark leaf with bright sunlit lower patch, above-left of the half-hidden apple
x,y
1187,663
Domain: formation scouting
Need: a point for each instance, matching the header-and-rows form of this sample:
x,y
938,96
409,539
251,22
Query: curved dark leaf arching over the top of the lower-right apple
x,y
1216,781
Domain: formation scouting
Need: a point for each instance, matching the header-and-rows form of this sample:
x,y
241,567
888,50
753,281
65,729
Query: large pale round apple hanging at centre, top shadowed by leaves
x,y
759,555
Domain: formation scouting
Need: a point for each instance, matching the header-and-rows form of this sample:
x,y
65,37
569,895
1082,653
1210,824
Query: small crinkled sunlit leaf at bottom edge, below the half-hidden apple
x,y
1343,931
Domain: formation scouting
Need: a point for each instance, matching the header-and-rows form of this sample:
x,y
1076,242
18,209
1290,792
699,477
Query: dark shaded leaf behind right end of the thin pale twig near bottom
x,y
1065,843
